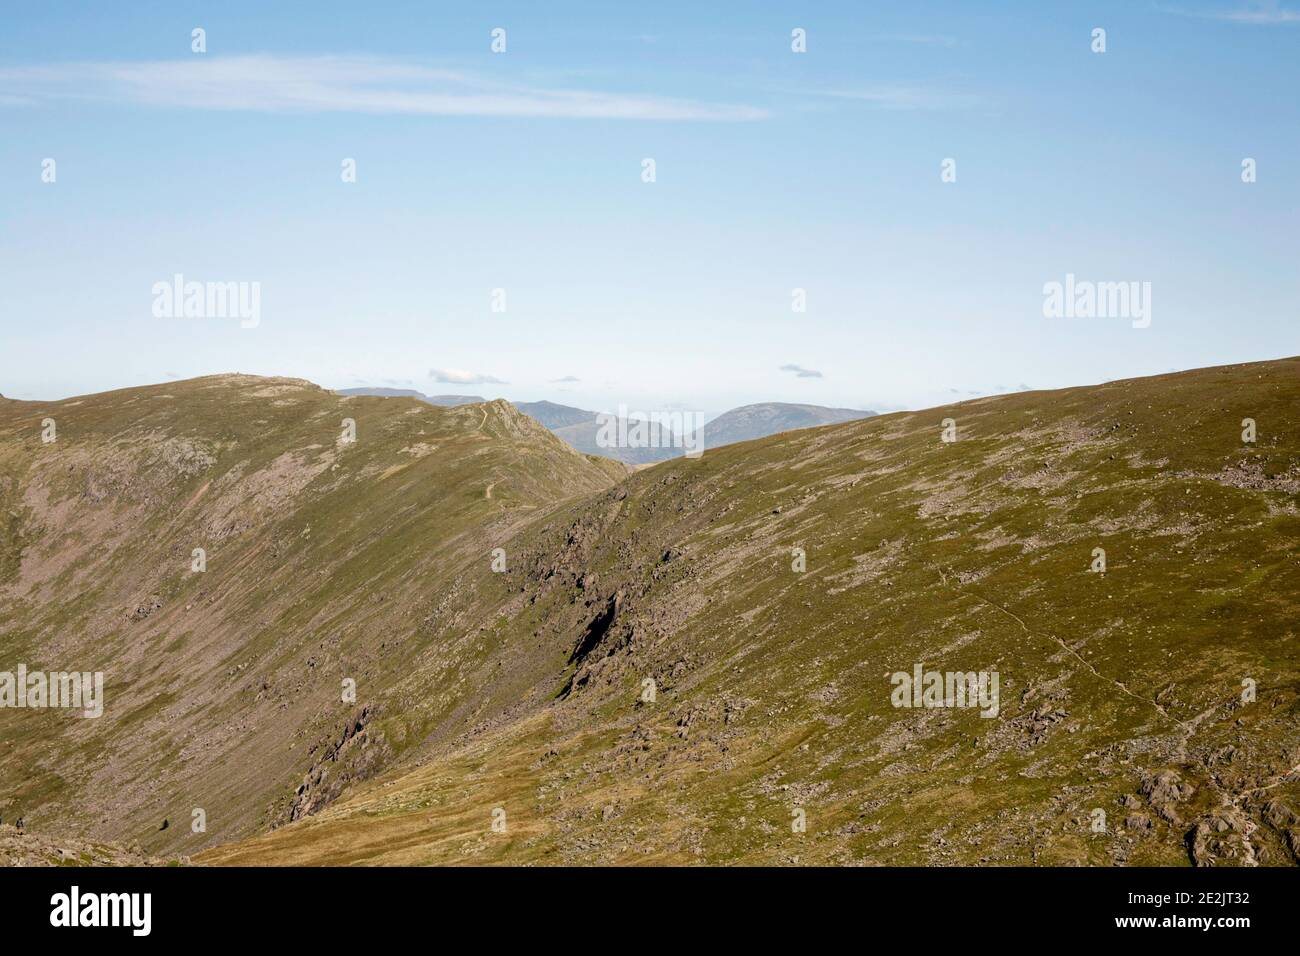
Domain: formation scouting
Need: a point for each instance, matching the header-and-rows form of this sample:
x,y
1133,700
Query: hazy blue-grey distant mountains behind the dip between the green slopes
x,y
582,429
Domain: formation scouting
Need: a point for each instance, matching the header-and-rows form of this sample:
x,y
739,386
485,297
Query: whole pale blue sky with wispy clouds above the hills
x,y
523,171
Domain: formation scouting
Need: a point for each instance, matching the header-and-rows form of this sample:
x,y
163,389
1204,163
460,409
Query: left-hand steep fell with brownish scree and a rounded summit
x,y
326,560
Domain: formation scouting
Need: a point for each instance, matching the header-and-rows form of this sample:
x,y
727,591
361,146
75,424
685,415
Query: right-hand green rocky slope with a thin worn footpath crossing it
x,y
1149,715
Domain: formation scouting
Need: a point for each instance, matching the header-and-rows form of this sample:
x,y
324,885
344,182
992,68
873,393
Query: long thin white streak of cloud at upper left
x,y
336,84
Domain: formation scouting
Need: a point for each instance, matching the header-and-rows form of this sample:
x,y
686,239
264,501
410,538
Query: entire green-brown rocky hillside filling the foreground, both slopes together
x,y
502,716
